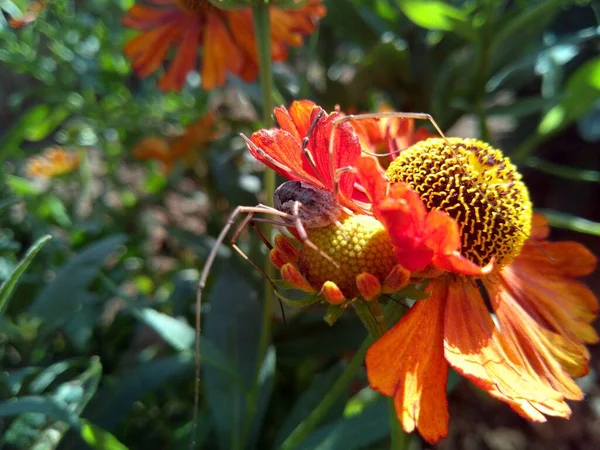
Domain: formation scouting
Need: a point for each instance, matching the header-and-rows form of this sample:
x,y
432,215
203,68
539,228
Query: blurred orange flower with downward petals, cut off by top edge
x,y
227,39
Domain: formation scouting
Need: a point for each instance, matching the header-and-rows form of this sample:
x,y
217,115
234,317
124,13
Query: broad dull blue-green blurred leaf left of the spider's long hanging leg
x,y
60,298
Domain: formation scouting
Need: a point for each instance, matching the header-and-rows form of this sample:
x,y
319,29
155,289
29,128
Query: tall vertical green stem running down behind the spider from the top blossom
x,y
262,27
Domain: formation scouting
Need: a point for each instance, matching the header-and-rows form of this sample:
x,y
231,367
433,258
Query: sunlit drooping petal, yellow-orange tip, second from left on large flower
x,y
477,350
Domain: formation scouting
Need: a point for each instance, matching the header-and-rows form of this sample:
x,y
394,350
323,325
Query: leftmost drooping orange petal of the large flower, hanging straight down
x,y
408,364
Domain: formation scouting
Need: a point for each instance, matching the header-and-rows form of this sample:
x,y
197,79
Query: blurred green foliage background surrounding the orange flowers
x,y
96,339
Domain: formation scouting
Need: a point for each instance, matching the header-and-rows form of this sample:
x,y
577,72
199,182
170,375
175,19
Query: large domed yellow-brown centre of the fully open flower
x,y
476,185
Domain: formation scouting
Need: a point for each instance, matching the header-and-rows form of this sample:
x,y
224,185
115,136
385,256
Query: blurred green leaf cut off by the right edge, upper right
x,y
582,90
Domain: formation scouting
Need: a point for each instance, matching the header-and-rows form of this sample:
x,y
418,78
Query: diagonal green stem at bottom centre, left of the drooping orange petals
x,y
317,414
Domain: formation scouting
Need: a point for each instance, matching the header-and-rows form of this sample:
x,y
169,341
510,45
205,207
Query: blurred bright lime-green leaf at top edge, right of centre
x,y
437,15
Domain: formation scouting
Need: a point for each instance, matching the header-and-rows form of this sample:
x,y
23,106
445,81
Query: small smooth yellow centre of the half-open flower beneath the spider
x,y
359,245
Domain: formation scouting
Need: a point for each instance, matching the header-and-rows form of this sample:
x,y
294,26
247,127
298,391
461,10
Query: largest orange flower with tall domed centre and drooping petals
x,y
544,314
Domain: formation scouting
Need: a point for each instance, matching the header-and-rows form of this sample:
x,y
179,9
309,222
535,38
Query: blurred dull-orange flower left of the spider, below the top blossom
x,y
168,152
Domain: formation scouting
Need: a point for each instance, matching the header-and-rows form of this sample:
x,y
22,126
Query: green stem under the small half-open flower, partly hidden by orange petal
x,y
373,319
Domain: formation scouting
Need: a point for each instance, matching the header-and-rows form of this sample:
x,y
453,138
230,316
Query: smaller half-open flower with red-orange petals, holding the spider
x,y
368,267
